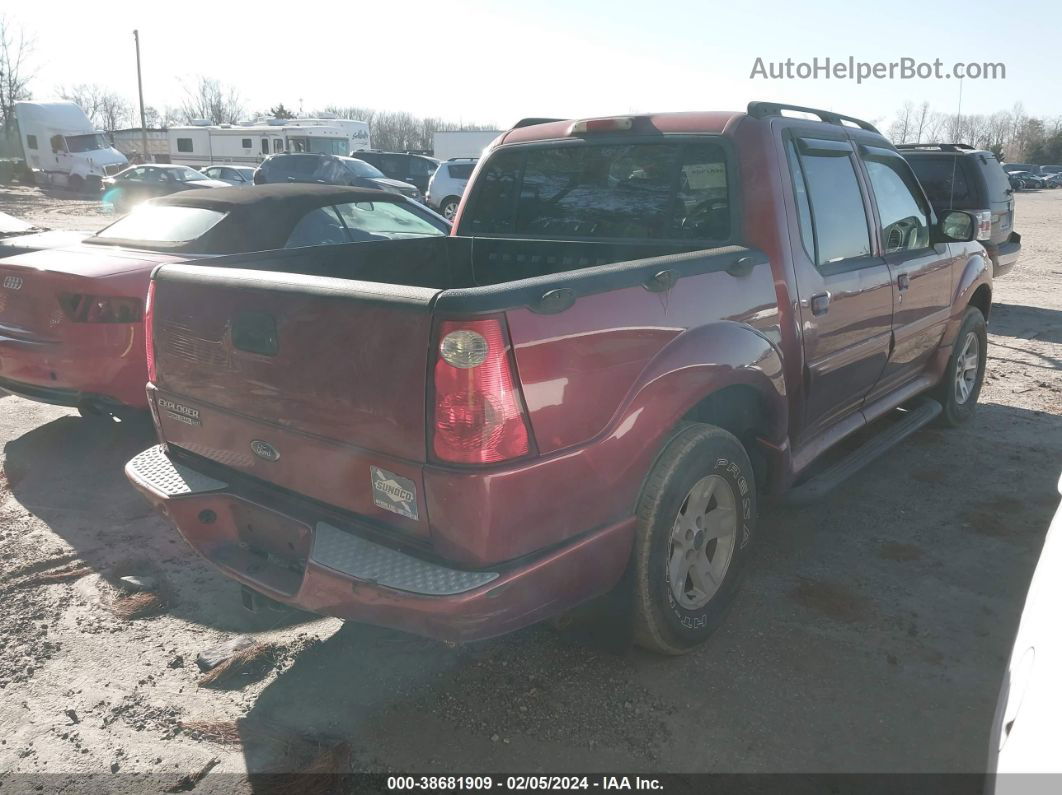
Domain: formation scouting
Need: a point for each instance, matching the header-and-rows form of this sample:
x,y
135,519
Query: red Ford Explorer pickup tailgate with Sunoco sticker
x,y
316,385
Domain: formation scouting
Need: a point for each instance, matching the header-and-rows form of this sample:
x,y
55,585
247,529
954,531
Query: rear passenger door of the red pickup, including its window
x,y
845,287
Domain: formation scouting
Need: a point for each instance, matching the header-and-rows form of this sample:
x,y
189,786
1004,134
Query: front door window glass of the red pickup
x,y
905,223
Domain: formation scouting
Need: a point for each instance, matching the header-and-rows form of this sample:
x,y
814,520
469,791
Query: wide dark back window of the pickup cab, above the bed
x,y
660,192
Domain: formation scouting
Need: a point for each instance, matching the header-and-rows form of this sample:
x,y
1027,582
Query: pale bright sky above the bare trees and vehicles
x,y
494,63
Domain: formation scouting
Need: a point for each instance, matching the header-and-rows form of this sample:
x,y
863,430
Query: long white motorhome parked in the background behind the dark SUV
x,y
207,145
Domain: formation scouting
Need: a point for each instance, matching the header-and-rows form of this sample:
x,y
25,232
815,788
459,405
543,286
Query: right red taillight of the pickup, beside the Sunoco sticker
x,y
479,411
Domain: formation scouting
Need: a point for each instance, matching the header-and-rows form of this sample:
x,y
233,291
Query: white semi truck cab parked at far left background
x,y
63,148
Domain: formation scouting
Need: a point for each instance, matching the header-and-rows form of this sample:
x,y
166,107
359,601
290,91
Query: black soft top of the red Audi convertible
x,y
259,219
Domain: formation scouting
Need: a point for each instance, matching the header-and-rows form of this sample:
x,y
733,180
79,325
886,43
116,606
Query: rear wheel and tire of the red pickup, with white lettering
x,y
697,519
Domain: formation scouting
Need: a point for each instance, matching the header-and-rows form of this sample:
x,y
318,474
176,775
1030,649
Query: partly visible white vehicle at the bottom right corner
x,y
1029,720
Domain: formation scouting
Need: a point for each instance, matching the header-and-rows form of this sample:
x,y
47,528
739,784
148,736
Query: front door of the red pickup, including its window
x,y
922,274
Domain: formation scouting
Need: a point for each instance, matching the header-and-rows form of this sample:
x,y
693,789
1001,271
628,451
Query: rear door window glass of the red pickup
x,y
836,203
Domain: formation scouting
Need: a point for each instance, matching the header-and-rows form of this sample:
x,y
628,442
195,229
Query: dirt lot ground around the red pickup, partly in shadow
x,y
871,634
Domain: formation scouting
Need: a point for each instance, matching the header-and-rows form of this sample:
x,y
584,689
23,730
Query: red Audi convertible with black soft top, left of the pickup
x,y
72,319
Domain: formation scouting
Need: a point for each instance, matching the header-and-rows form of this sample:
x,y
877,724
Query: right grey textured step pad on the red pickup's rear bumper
x,y
363,560
